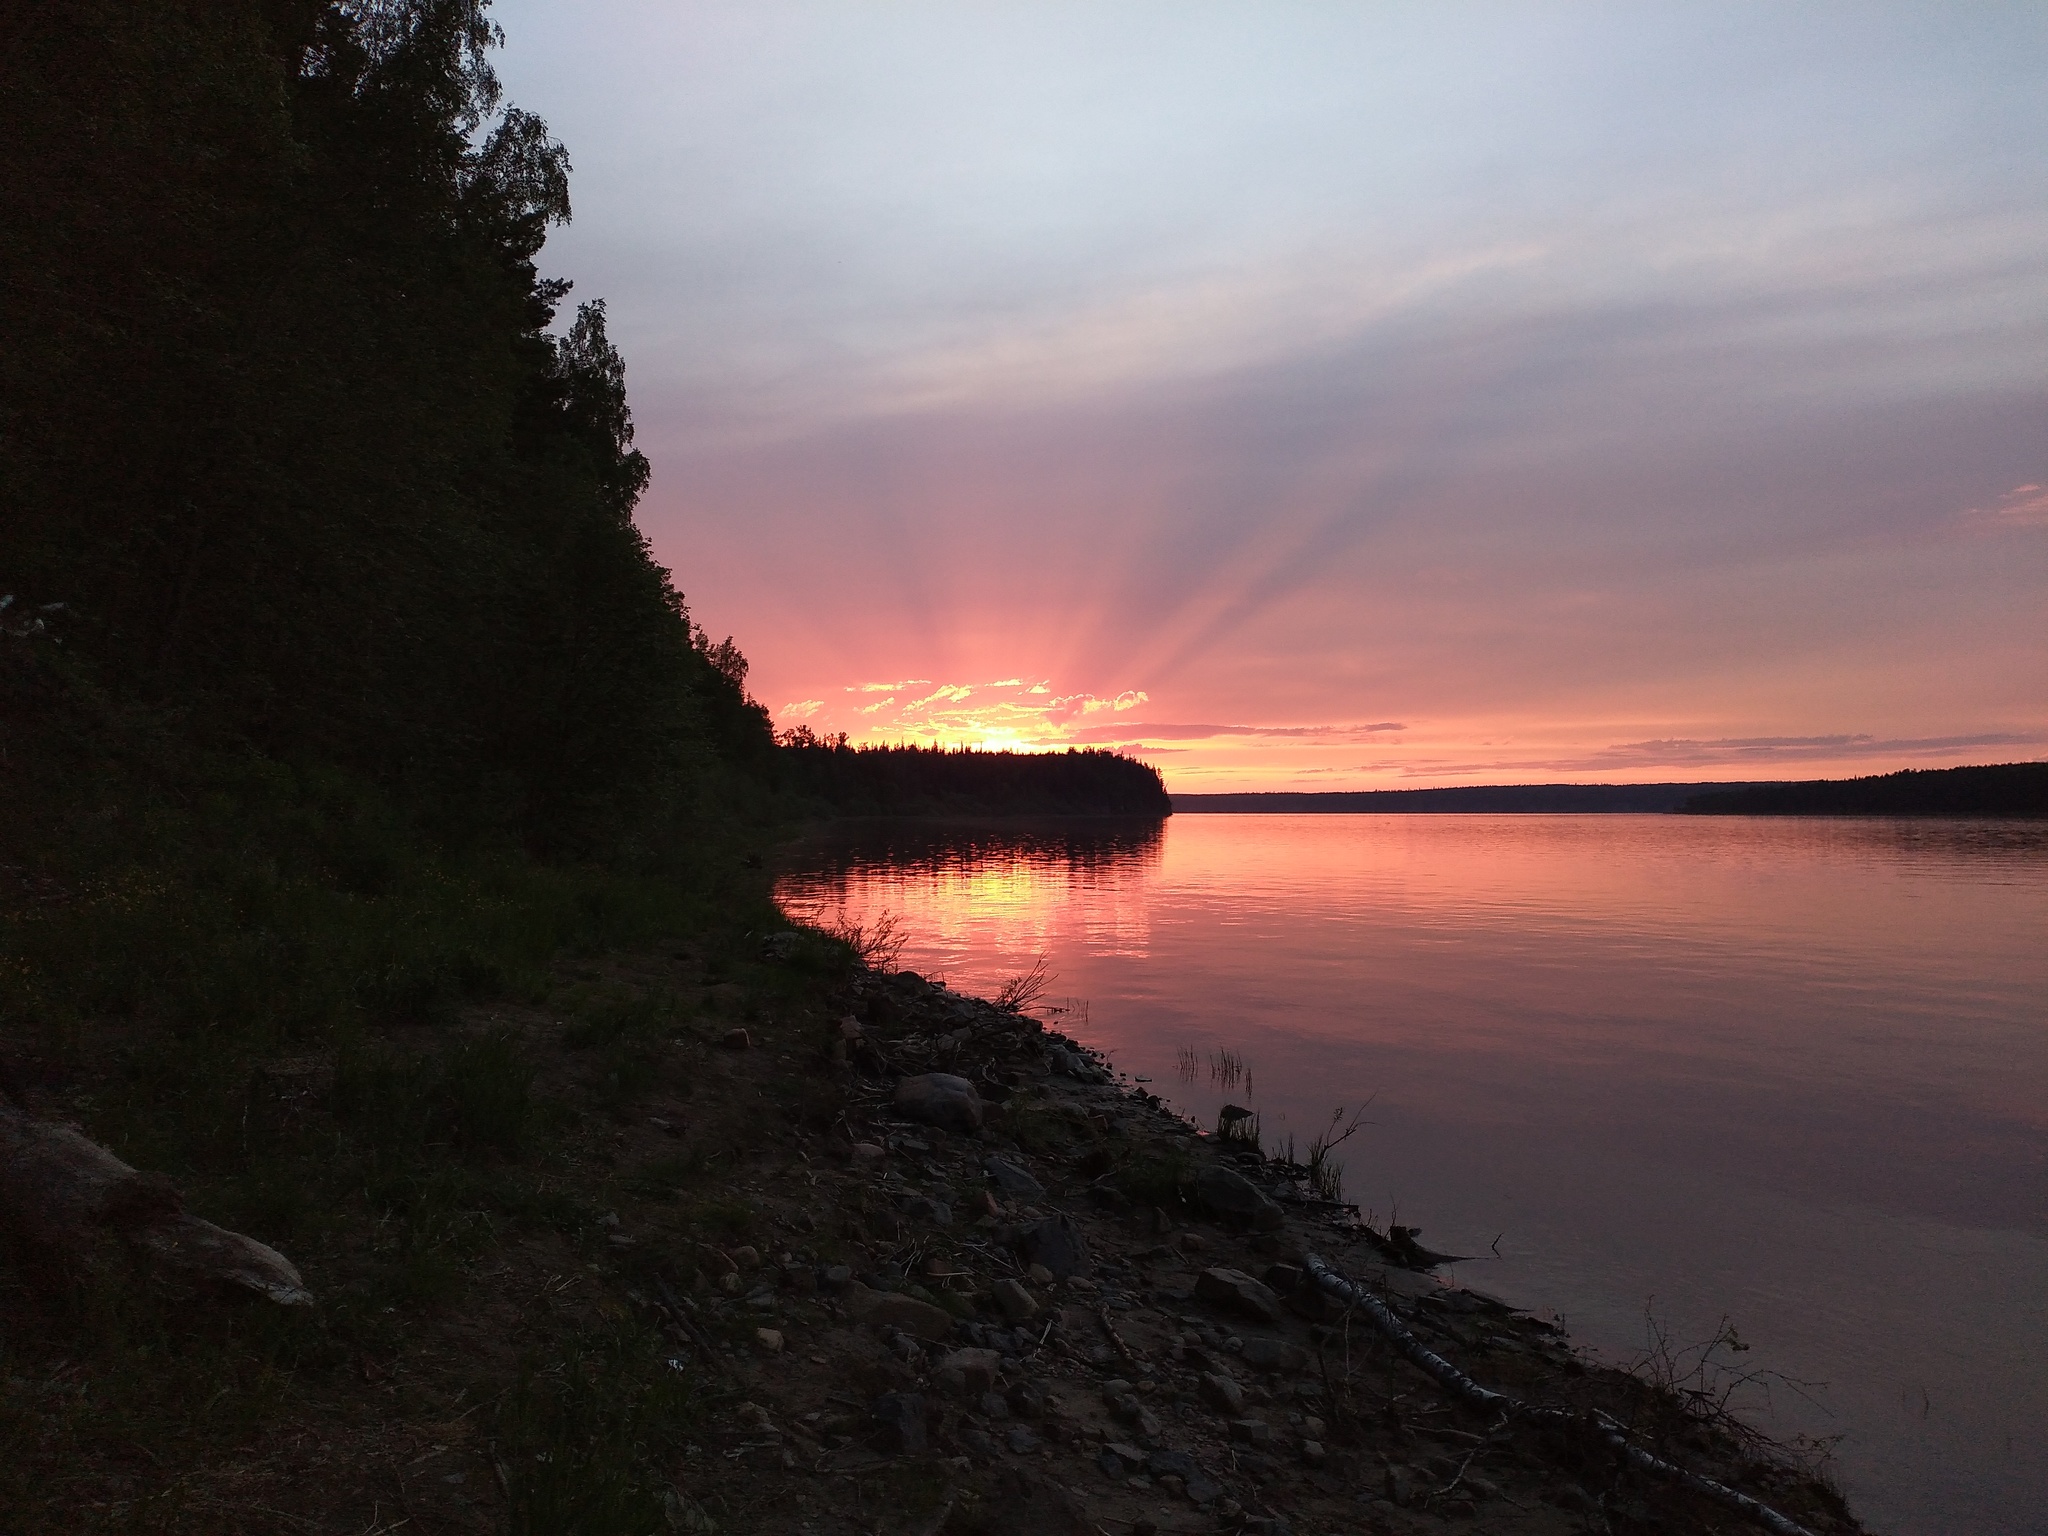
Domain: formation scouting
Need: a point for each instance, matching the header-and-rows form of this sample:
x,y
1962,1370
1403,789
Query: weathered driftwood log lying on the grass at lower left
x,y
67,1201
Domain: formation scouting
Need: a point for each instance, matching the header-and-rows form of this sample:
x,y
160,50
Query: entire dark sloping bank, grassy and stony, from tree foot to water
x,y
785,1244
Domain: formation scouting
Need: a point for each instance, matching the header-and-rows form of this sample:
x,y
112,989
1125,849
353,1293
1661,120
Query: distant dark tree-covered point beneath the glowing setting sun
x,y
966,781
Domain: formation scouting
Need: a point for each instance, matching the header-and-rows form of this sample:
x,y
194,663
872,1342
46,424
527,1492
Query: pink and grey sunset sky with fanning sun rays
x,y
1338,396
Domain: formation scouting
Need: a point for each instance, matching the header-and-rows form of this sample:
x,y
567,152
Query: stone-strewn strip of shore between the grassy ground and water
x,y
1078,1314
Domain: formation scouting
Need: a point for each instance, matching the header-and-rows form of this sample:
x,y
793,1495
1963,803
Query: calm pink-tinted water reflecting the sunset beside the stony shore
x,y
1793,1074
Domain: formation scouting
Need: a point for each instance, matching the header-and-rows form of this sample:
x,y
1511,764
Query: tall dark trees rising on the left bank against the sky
x,y
288,431
